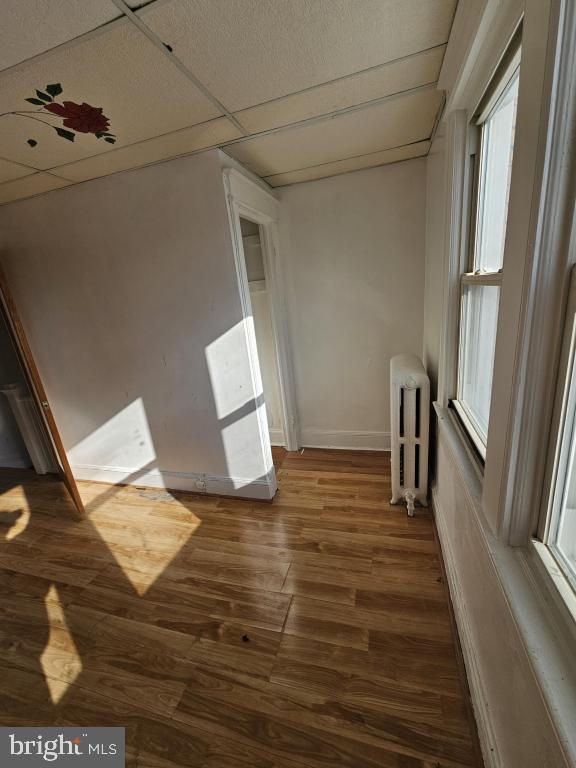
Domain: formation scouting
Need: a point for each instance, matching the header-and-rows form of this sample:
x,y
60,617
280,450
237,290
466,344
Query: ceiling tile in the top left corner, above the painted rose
x,y
30,28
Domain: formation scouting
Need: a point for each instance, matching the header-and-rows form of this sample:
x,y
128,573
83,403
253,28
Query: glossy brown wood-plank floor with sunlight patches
x,y
314,631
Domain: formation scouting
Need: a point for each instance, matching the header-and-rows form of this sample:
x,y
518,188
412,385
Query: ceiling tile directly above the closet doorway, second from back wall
x,y
398,121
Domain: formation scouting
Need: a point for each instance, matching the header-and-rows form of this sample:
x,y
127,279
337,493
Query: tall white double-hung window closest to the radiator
x,y
480,283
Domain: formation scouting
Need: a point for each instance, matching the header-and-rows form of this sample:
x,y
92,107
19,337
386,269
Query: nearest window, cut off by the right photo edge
x,y
557,528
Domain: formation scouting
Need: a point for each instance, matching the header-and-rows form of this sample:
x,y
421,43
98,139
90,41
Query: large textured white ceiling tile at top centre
x,y
248,51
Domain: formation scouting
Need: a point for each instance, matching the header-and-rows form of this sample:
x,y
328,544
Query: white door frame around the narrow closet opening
x,y
249,200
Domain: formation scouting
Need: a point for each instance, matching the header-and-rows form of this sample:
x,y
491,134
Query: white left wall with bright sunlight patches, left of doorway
x,y
128,291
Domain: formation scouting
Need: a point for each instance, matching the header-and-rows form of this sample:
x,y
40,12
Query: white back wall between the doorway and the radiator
x,y
353,253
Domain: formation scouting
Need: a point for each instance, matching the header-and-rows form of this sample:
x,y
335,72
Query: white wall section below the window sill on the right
x,y
515,724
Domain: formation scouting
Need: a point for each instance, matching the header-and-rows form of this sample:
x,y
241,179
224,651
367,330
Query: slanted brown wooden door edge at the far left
x,y
28,364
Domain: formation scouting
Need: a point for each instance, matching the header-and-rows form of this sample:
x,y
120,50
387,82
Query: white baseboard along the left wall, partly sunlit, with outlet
x,y
261,488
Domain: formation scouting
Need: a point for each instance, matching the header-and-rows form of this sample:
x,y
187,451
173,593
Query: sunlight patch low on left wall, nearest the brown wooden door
x,y
123,442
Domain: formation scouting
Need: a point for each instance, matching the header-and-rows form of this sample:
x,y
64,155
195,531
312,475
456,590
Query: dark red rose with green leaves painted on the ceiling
x,y
76,118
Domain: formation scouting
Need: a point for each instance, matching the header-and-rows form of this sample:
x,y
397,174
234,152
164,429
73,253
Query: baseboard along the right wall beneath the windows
x,y
478,694
